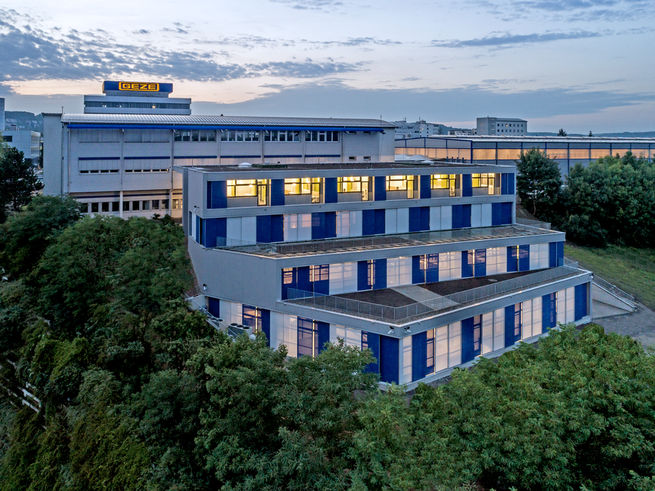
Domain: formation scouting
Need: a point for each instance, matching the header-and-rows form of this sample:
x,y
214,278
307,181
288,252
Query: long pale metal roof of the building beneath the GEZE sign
x,y
192,120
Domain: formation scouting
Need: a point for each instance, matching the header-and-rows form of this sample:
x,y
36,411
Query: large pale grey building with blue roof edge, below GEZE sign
x,y
122,164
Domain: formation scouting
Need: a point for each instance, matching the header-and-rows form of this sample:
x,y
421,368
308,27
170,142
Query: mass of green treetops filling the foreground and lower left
x,y
137,392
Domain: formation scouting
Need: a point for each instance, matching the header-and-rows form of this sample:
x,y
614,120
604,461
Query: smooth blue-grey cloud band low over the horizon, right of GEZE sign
x,y
457,104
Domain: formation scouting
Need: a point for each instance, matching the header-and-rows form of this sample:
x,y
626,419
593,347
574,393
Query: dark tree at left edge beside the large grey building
x,y
18,181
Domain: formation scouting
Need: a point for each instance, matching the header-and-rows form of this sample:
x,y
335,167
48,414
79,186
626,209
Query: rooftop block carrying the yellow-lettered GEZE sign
x,y
136,98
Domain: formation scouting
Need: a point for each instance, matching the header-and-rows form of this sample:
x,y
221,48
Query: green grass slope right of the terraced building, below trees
x,y
629,268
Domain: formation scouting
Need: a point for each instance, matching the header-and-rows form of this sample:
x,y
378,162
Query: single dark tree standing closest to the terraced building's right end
x,y
538,183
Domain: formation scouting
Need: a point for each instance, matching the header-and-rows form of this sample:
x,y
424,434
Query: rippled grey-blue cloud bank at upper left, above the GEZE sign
x,y
31,53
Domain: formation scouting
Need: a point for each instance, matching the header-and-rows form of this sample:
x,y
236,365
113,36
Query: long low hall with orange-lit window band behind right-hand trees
x,y
567,151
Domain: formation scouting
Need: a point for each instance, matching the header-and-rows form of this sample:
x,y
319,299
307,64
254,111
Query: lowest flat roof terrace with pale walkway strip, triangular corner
x,y
399,305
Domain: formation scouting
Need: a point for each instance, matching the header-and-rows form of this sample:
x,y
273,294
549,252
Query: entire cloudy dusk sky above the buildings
x,y
582,65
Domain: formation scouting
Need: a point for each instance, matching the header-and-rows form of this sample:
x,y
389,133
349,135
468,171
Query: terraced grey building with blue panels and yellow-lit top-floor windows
x,y
422,263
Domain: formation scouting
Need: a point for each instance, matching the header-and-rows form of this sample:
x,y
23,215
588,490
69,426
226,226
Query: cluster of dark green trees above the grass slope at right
x,y
609,201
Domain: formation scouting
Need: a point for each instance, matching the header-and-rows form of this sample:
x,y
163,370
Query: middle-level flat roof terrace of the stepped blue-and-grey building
x,y
355,244
